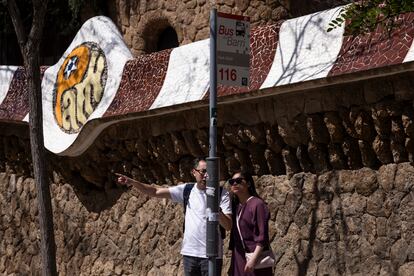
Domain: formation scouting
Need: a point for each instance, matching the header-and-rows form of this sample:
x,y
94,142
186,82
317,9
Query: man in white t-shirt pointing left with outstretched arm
x,y
193,196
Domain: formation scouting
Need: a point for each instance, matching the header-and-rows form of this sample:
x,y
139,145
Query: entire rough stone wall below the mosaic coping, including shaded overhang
x,y
333,164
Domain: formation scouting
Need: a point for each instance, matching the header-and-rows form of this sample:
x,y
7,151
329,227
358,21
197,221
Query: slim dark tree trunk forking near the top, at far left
x,y
29,46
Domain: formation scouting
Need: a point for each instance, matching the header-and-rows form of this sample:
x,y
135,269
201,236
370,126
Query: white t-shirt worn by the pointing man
x,y
195,233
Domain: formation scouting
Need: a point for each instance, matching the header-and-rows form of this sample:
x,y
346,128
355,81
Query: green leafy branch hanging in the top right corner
x,y
364,16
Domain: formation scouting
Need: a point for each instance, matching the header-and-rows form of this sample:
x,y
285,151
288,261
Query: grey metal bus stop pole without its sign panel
x,y
212,161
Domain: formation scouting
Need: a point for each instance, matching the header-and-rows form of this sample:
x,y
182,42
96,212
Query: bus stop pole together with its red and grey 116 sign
x,y
230,54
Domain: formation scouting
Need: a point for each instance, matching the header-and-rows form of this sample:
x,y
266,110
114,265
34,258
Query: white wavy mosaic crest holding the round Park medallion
x,y
81,86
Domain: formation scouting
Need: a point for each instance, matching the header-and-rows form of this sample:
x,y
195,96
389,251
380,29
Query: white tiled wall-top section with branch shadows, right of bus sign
x,y
305,50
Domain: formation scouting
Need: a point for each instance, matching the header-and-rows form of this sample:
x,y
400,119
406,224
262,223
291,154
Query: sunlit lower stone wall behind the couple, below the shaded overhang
x,y
343,222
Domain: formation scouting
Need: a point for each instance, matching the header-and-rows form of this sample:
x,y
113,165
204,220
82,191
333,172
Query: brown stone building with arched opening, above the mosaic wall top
x,y
142,22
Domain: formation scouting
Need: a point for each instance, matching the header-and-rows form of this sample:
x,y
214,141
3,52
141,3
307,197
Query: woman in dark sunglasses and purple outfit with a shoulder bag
x,y
250,231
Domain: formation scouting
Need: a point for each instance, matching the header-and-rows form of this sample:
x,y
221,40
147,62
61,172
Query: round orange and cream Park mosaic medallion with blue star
x,y
80,86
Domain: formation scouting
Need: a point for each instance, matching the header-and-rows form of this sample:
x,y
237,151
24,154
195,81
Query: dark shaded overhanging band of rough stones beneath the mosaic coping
x,y
347,126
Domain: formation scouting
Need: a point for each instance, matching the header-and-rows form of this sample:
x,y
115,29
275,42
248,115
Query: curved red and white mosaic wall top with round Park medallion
x,y
97,76
